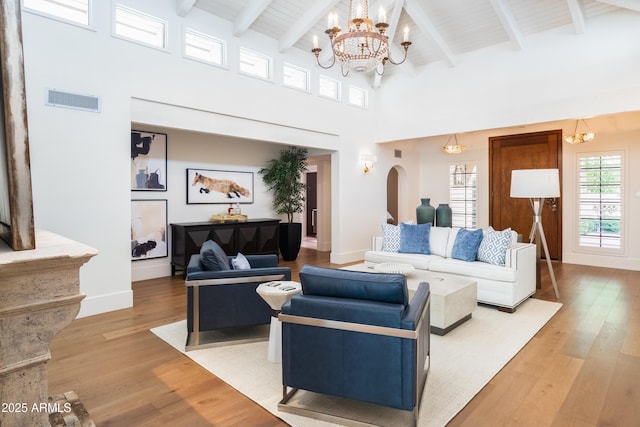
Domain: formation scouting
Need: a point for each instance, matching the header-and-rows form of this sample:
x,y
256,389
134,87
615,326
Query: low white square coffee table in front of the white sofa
x,y
453,298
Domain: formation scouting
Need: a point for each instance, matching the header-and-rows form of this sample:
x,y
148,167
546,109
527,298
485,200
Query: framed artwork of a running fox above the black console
x,y
206,186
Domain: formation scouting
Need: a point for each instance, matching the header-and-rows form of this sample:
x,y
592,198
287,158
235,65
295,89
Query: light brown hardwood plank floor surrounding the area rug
x,y
581,369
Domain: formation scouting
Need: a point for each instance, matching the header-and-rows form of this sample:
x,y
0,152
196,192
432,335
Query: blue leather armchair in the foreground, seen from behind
x,y
356,335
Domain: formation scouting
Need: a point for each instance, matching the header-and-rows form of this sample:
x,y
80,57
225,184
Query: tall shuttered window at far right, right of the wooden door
x,y
600,201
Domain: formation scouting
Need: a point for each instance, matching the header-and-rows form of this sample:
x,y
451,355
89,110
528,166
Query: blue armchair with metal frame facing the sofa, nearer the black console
x,y
222,299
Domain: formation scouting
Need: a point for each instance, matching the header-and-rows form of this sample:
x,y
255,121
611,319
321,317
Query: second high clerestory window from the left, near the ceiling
x,y
140,27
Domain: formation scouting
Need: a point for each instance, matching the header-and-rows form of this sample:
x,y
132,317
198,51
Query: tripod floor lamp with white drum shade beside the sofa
x,y
537,185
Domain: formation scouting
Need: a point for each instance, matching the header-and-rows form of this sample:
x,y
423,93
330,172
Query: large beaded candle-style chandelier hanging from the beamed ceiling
x,y
361,48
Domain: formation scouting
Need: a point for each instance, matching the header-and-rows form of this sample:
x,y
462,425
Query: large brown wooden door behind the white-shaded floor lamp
x,y
539,150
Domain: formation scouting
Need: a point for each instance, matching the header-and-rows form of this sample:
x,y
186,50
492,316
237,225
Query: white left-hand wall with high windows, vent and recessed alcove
x,y
80,160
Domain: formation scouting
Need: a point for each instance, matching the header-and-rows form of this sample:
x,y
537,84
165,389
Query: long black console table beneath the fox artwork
x,y
255,236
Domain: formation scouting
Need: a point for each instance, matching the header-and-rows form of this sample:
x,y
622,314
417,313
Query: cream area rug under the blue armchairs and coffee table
x,y
462,363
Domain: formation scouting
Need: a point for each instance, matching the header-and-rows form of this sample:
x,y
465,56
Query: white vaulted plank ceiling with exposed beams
x,y
440,30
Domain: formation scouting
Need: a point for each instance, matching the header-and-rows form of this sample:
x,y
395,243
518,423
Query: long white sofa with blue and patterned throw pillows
x,y
503,286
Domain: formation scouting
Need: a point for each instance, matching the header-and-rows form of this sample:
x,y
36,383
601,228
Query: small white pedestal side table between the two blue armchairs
x,y
275,294
